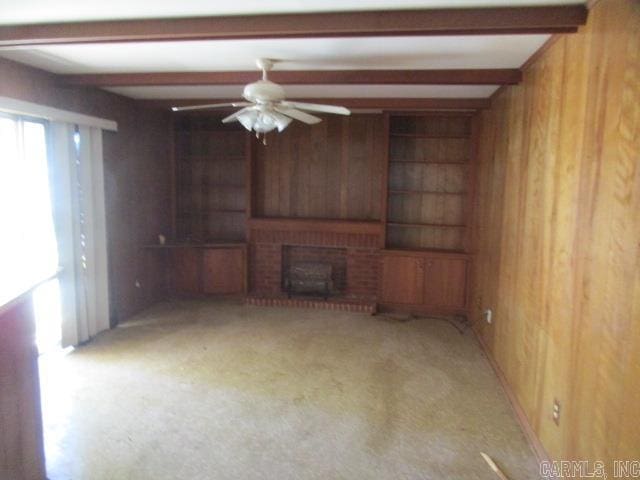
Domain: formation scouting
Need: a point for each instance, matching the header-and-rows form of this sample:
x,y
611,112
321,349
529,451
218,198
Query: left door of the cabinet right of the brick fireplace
x,y
402,279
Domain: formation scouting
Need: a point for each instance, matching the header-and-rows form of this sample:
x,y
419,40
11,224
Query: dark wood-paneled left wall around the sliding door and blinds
x,y
137,178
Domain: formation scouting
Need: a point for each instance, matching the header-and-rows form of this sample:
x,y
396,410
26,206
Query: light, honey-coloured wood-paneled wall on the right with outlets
x,y
558,238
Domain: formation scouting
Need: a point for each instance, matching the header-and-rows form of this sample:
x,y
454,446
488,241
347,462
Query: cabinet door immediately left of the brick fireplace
x,y
223,271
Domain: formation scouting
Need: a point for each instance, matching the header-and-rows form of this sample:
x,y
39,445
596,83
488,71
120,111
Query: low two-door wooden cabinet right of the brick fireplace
x,y
426,281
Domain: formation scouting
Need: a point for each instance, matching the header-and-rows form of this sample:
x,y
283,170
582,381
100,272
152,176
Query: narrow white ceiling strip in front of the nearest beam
x,y
41,11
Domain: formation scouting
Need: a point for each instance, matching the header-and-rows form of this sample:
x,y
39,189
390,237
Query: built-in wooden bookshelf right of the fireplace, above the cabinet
x,y
428,181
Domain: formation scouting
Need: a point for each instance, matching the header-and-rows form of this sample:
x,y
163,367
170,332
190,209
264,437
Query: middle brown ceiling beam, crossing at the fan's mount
x,y
315,77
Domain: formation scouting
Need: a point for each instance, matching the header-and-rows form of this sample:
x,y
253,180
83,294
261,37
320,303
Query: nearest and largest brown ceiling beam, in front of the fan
x,y
463,21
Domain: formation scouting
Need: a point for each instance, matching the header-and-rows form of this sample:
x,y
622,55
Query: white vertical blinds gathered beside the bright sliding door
x,y
77,185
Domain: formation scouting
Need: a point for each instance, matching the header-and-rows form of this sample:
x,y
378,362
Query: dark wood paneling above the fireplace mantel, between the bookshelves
x,y
329,170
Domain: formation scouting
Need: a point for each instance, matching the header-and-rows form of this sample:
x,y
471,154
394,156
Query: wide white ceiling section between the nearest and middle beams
x,y
482,51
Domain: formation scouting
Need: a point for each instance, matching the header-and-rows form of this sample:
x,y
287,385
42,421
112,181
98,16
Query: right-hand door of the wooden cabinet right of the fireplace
x,y
445,282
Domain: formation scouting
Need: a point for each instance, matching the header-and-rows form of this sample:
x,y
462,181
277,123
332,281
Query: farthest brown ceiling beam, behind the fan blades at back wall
x,y
401,104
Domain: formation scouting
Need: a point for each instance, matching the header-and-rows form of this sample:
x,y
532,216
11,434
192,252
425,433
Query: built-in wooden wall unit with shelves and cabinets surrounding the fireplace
x,y
401,182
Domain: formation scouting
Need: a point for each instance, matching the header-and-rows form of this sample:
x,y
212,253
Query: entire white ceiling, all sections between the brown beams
x,y
402,53
